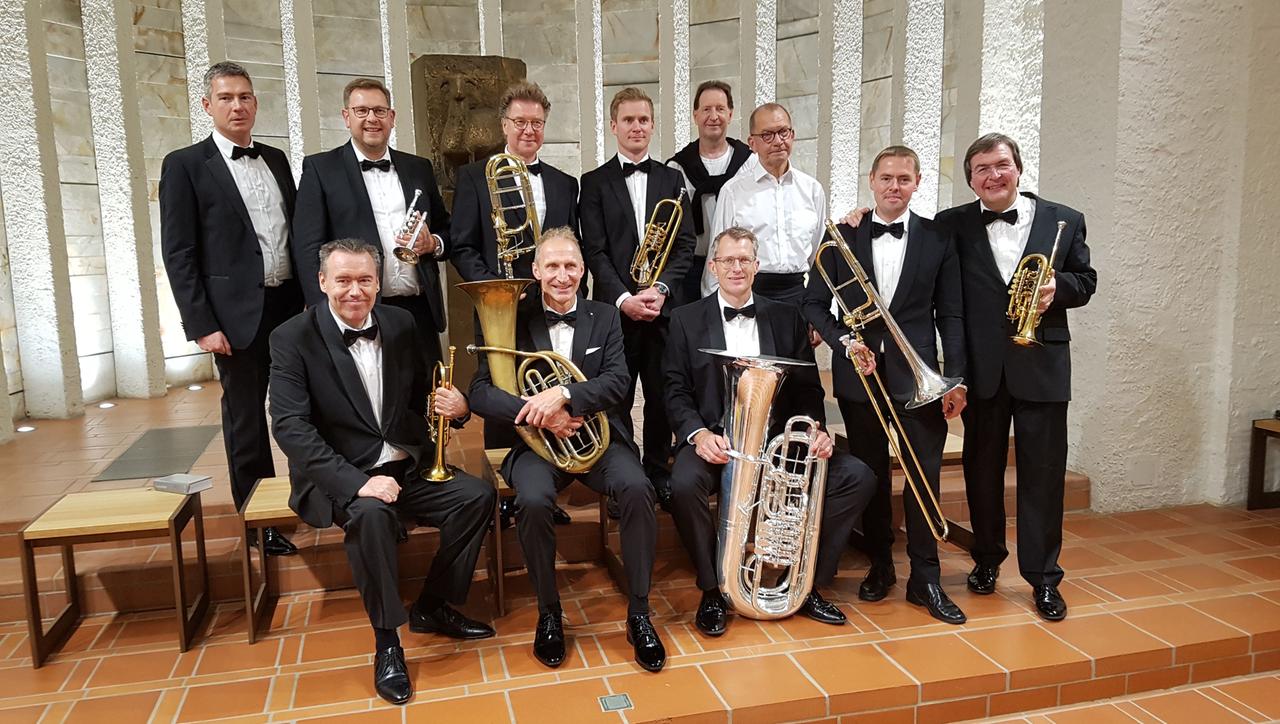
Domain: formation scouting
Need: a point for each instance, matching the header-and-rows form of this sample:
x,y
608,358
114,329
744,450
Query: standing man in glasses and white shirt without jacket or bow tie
x,y
785,208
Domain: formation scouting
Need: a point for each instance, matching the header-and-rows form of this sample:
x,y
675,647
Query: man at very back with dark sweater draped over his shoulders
x,y
708,164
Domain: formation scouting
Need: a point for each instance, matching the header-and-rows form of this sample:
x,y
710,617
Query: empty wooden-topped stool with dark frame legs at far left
x,y
109,516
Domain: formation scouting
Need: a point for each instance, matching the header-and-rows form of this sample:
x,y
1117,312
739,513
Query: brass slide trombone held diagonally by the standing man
x,y
930,386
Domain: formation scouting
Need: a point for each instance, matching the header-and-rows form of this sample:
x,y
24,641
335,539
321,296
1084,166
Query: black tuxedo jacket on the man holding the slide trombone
x,y
927,299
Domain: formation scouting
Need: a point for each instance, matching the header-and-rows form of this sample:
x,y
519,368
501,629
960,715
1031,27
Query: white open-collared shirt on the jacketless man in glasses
x,y
788,217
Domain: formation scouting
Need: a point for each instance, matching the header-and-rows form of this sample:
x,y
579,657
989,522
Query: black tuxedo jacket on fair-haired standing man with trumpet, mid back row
x,y
610,236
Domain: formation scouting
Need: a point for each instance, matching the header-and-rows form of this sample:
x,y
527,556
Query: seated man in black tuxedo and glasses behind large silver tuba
x,y
739,323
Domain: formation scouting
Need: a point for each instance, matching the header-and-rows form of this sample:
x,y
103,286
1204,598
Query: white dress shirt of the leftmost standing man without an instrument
x,y
266,207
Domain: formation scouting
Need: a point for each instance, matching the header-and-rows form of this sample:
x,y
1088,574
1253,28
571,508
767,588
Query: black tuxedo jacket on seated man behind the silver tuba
x,y
696,381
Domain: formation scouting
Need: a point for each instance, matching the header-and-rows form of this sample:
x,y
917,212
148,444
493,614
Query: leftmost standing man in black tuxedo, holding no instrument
x,y
225,231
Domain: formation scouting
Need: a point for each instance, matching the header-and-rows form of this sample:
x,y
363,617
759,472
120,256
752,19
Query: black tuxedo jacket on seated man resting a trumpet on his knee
x,y
322,416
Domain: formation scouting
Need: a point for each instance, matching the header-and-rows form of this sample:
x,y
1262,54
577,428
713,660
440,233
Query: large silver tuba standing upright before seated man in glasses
x,y
771,496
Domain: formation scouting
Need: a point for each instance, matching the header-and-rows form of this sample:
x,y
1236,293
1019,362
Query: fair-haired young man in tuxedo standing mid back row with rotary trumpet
x,y
618,203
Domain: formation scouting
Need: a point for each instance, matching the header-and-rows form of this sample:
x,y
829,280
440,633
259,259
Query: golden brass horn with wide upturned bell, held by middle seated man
x,y
496,309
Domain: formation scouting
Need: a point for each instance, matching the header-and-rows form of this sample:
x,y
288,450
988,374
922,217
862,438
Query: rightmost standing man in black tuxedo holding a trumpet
x,y
1031,386
